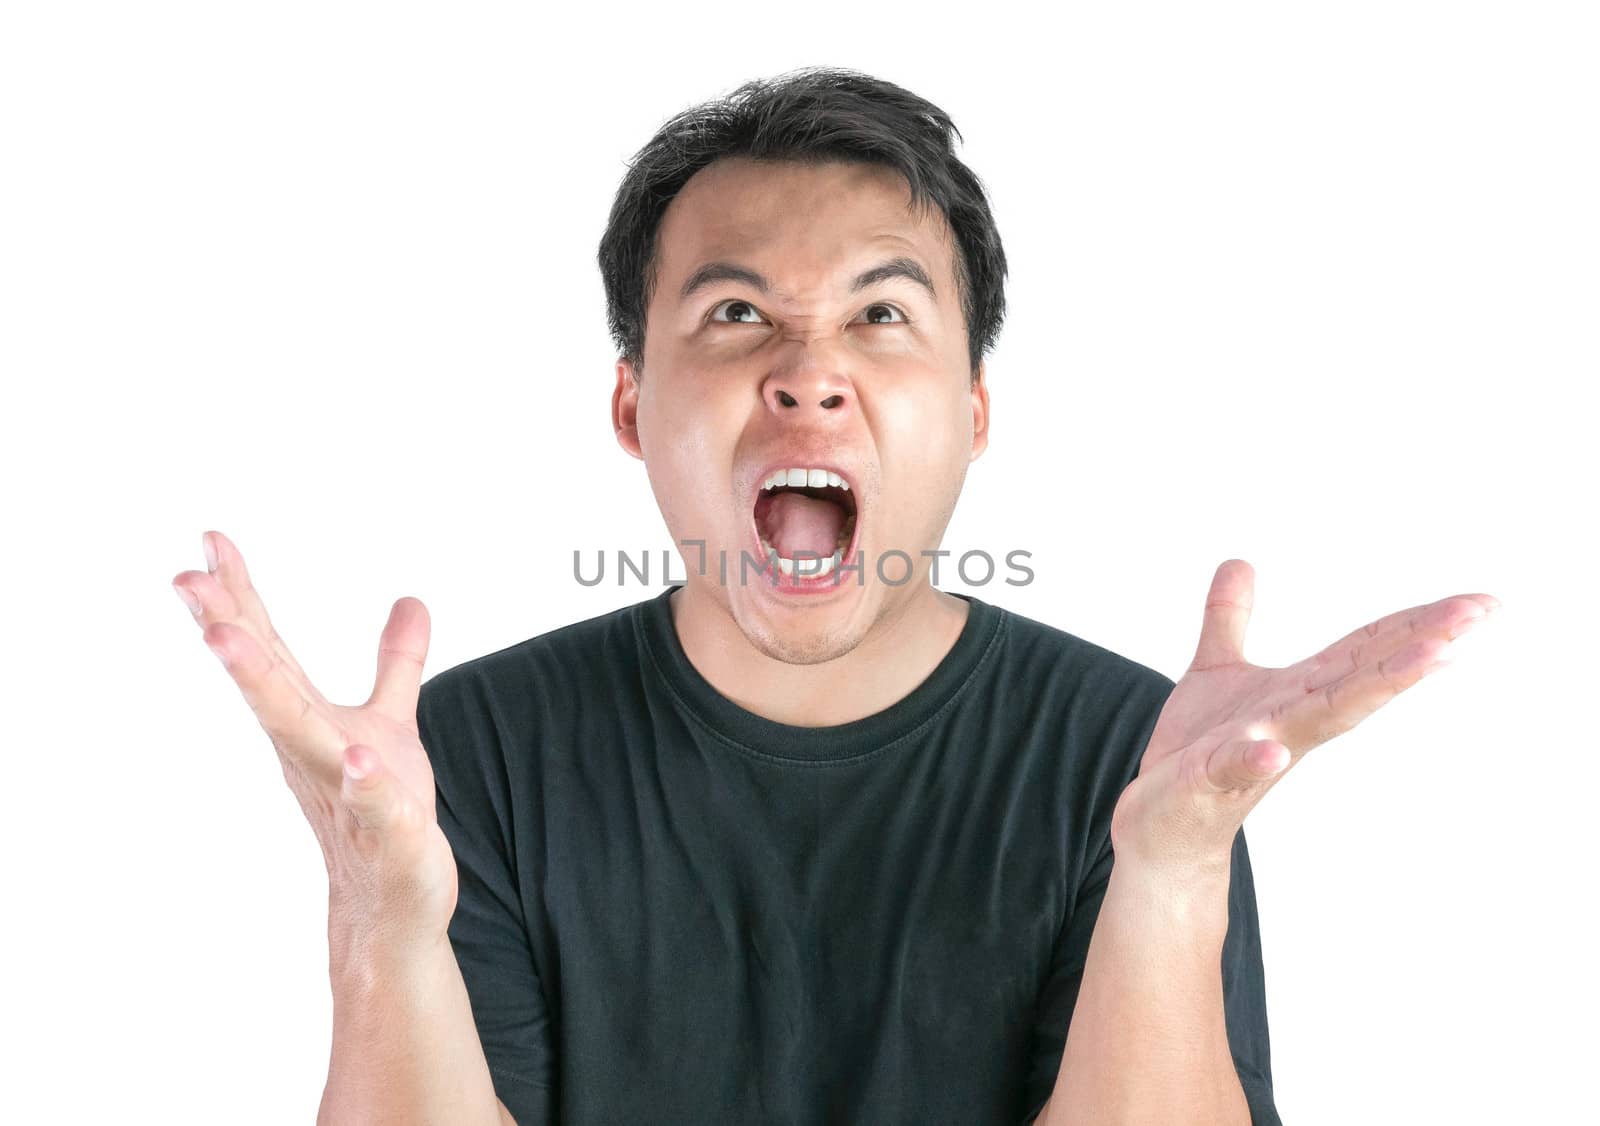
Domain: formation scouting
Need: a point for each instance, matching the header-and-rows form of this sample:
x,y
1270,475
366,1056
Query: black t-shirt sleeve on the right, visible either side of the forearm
x,y
1244,989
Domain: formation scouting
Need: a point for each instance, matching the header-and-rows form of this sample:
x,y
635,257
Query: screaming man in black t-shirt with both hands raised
x,y
804,839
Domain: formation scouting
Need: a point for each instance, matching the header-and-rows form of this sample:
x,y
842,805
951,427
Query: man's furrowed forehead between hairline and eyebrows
x,y
799,225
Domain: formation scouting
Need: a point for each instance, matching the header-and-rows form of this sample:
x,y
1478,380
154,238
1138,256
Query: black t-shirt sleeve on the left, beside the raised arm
x,y
487,932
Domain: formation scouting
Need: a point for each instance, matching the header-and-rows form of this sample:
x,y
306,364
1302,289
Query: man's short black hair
x,y
807,116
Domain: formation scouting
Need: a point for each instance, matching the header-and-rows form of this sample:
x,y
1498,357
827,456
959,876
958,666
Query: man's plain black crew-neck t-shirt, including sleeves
x,y
676,911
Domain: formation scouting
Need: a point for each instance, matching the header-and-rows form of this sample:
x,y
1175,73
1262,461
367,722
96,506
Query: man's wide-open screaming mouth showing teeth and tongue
x,y
807,521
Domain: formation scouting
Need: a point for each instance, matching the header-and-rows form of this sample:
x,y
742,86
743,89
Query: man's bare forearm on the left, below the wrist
x,y
406,1048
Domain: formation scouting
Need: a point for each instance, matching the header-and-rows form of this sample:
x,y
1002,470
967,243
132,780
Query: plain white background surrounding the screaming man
x,y
1313,285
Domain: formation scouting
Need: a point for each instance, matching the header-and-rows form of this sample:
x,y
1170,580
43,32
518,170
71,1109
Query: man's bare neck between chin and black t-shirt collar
x,y
900,650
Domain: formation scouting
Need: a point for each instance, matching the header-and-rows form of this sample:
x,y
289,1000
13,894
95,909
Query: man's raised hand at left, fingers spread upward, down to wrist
x,y
361,773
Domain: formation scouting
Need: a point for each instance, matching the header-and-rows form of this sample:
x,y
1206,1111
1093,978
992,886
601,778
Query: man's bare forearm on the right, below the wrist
x,y
1148,1040
